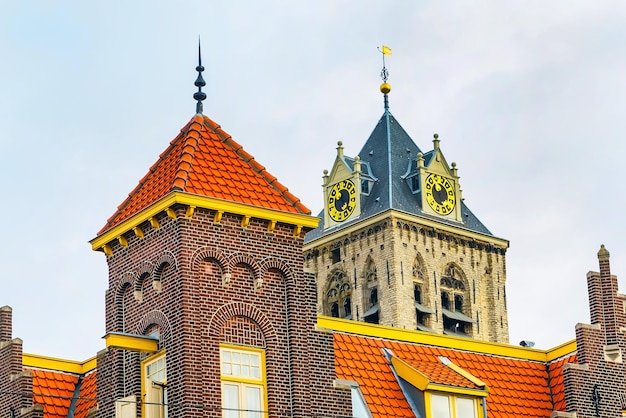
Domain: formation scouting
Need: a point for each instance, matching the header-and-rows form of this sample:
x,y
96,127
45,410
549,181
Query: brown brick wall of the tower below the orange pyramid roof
x,y
202,284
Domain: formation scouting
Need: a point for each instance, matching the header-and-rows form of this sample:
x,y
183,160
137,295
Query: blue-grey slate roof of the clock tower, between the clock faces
x,y
388,154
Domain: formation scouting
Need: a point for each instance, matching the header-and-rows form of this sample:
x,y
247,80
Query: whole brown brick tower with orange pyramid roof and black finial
x,y
208,310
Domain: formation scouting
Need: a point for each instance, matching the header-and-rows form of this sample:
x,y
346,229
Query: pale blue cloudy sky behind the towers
x,y
528,98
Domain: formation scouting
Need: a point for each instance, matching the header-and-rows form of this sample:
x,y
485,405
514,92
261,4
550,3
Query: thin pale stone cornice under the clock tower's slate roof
x,y
499,242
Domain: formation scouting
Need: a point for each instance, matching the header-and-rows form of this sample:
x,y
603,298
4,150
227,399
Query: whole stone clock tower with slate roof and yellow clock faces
x,y
398,246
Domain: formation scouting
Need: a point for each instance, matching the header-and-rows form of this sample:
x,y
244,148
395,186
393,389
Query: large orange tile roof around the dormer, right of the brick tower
x,y
517,387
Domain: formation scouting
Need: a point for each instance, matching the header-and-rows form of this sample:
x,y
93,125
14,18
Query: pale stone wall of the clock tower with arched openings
x,y
394,245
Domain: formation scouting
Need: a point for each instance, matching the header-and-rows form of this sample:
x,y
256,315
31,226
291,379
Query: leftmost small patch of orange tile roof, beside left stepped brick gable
x,y
54,391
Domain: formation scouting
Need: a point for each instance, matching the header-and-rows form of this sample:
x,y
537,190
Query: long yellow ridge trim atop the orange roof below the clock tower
x,y
445,341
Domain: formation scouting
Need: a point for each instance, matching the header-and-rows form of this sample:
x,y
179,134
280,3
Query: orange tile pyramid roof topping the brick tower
x,y
204,160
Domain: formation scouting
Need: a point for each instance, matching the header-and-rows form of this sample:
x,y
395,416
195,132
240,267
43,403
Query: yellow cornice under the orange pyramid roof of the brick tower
x,y
194,201
